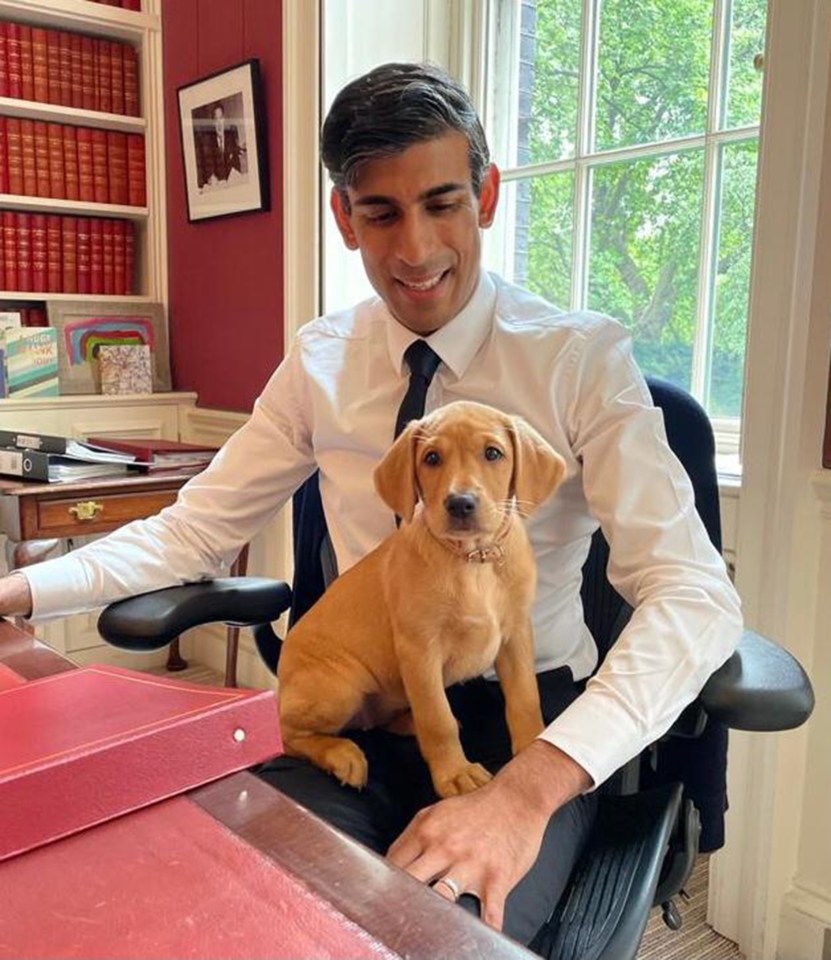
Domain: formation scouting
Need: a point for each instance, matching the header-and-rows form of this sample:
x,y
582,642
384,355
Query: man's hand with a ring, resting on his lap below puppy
x,y
486,841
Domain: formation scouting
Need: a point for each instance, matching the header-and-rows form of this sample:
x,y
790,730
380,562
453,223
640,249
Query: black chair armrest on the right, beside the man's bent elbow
x,y
761,687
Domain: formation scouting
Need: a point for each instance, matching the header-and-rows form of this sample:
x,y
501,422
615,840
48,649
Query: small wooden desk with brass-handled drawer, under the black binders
x,y
34,516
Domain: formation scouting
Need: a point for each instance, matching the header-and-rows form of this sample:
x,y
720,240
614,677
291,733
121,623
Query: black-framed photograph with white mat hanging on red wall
x,y
224,144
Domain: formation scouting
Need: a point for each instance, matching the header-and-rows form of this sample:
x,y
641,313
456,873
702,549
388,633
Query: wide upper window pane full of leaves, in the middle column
x,y
653,70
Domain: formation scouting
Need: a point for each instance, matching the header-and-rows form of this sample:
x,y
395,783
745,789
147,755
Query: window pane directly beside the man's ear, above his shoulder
x,y
544,212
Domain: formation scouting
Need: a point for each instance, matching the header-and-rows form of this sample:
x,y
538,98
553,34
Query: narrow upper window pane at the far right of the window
x,y
747,41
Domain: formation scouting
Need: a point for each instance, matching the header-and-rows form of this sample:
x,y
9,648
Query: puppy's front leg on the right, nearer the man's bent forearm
x,y
515,670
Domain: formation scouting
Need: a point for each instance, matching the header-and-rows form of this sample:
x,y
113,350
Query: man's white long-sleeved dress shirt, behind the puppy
x,y
332,404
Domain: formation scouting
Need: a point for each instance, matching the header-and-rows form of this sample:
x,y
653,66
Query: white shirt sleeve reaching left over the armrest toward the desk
x,y
215,515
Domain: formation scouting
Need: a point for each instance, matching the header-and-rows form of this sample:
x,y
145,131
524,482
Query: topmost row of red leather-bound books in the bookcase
x,y
46,65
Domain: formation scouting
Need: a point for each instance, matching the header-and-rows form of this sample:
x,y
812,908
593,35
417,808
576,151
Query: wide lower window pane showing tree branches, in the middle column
x,y
643,266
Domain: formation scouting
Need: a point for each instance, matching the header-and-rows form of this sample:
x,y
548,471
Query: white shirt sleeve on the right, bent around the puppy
x,y
686,619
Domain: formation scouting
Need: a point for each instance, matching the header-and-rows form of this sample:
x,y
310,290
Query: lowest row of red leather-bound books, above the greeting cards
x,y
51,253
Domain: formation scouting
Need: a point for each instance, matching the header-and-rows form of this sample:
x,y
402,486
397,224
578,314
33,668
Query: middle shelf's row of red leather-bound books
x,y
64,162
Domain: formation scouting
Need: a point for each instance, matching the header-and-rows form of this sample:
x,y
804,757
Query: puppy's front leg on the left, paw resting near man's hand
x,y
436,728
